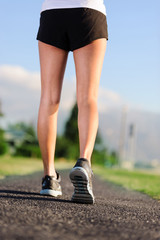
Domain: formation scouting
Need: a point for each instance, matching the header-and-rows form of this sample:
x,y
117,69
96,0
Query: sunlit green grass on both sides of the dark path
x,y
144,182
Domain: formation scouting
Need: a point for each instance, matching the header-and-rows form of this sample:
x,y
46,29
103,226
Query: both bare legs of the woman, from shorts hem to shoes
x,y
88,64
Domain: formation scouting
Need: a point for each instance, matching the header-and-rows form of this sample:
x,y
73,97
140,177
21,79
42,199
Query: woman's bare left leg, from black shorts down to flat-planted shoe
x,y
52,62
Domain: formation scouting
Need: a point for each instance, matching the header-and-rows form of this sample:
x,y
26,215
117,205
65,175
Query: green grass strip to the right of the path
x,y
144,182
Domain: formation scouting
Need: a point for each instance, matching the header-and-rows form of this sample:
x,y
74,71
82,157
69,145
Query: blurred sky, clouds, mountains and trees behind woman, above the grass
x,y
129,92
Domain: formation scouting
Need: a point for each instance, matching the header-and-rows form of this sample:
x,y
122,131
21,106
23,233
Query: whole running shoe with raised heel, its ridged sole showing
x,y
81,177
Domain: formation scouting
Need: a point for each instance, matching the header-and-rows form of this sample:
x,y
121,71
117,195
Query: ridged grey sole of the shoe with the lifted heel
x,y
80,180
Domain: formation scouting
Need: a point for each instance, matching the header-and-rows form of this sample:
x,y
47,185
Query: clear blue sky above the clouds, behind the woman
x,y
132,61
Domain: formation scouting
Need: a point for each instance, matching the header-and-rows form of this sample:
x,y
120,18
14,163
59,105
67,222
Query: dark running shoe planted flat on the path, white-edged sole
x,y
51,186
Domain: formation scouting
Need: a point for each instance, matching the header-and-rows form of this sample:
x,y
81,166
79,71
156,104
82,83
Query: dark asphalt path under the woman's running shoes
x,y
117,214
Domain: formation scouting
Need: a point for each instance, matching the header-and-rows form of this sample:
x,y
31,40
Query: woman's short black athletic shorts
x,y
71,28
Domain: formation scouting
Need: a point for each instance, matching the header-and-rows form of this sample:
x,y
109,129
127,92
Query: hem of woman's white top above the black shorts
x,y
94,4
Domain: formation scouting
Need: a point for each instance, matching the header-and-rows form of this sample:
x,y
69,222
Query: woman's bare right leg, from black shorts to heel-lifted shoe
x,y
88,63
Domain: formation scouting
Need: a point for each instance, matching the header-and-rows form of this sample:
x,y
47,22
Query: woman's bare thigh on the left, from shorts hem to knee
x,y
52,62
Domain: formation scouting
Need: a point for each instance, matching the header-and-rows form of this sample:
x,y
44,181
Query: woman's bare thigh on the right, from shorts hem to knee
x,y
88,64
